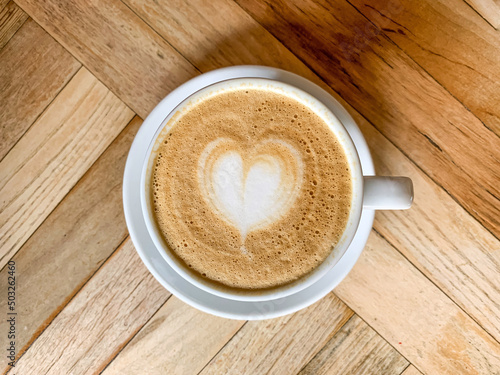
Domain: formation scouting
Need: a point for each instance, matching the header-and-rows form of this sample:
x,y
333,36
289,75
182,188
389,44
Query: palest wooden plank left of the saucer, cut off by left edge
x,y
52,156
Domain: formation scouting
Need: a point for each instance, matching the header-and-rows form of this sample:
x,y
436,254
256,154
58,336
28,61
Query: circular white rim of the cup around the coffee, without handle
x,y
305,281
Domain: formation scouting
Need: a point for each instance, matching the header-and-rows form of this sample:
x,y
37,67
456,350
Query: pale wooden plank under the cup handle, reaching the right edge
x,y
441,239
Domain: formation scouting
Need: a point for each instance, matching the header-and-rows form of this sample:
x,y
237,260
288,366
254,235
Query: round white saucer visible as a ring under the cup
x,y
160,269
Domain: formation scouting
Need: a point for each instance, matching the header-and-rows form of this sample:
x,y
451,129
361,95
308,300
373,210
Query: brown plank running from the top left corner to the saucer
x,y
116,46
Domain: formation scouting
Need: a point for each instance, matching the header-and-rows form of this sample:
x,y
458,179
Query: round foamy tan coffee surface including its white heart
x,y
250,188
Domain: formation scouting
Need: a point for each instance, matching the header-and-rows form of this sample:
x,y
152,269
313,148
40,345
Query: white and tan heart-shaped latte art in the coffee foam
x,y
250,189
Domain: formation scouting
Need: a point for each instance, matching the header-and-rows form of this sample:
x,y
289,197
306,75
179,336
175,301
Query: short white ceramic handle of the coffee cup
x,y
387,193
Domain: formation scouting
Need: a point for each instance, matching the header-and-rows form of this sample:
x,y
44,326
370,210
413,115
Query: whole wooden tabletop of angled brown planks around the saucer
x,y
421,78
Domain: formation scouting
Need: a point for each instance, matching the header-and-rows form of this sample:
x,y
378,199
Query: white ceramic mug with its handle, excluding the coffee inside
x,y
368,192
